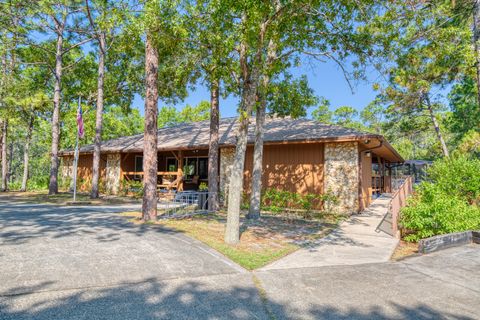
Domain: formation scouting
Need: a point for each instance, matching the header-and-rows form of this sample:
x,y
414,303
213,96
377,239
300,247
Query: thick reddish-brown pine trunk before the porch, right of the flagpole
x,y
149,208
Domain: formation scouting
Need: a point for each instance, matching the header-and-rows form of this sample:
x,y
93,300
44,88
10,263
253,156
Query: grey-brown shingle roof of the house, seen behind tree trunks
x,y
196,135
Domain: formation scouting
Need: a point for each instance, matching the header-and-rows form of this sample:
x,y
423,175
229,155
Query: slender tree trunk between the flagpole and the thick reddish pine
x,y
99,116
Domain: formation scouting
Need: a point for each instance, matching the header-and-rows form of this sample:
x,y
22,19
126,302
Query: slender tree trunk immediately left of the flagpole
x,y
53,184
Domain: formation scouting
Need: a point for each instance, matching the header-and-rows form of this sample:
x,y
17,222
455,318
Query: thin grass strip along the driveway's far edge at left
x,y
62,198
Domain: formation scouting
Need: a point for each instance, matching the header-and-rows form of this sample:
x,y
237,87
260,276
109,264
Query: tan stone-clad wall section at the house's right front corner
x,y
341,175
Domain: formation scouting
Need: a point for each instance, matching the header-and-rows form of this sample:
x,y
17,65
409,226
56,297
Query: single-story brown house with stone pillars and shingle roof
x,y
300,155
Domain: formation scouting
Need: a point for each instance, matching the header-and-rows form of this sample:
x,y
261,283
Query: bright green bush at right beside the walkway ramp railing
x,y
448,202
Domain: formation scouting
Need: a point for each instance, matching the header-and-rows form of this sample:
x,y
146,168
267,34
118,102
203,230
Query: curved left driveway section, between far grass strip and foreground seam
x,y
47,247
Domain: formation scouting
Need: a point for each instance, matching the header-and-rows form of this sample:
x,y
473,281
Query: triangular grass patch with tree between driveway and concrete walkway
x,y
261,241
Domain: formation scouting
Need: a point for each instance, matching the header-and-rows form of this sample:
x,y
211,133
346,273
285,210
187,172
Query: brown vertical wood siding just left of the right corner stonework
x,y
290,167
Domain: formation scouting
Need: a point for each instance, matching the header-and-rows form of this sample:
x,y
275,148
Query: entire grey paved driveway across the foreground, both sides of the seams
x,y
88,263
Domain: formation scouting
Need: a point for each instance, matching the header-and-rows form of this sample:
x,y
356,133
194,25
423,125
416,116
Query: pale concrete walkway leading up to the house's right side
x,y
356,241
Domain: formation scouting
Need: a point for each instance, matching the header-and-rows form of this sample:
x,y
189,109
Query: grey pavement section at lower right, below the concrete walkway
x,y
442,285
